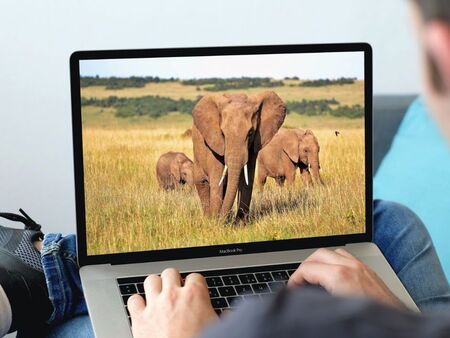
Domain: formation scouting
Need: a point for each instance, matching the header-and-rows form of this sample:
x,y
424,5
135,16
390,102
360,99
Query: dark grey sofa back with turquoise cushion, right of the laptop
x,y
412,165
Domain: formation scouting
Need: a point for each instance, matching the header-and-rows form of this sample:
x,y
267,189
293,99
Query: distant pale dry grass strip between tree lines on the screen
x,y
346,95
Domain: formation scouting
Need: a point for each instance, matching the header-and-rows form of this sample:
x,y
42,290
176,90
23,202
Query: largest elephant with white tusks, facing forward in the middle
x,y
228,132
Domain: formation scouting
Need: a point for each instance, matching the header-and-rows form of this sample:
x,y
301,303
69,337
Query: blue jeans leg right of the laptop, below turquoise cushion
x,y
407,246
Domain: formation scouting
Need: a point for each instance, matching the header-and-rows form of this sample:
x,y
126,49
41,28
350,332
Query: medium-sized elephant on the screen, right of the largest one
x,y
290,149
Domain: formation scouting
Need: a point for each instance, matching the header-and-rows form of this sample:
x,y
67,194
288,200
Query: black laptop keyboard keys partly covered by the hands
x,y
227,287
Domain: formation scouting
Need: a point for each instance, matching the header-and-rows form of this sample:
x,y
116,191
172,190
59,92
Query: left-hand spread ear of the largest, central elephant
x,y
206,116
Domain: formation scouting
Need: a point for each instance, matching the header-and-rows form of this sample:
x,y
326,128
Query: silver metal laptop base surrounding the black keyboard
x,y
102,290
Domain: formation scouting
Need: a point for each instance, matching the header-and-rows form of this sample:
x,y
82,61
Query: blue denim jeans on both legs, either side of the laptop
x,y
398,232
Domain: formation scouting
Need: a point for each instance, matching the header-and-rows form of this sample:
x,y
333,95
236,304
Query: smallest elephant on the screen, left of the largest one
x,y
173,170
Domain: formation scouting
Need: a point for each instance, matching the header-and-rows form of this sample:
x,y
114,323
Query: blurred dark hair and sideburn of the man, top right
x,y
434,10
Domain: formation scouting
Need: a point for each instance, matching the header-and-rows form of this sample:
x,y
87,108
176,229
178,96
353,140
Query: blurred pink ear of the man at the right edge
x,y
437,40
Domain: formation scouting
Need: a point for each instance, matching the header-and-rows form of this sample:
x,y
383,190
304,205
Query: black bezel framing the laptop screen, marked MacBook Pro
x,y
225,249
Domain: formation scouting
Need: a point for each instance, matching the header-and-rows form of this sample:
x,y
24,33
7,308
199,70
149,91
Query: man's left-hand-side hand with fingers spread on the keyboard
x,y
172,310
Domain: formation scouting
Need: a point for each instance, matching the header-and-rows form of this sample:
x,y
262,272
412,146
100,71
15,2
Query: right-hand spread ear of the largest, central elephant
x,y
272,114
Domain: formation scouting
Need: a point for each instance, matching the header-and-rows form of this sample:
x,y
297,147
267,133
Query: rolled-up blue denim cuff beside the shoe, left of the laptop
x,y
59,260
